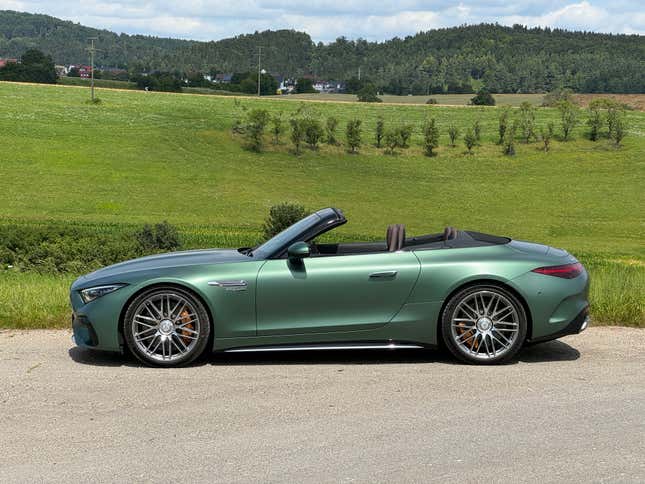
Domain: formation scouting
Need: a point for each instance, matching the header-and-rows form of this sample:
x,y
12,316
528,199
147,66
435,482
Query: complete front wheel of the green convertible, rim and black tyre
x,y
166,326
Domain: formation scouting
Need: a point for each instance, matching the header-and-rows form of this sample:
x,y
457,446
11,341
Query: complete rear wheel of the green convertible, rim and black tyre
x,y
484,324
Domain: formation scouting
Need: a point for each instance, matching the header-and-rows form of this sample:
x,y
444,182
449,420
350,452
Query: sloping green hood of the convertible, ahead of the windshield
x,y
161,261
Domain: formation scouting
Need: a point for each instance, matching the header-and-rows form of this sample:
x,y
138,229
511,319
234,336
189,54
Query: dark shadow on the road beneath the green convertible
x,y
545,352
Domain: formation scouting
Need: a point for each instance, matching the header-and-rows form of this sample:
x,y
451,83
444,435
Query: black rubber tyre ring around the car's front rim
x,y
204,334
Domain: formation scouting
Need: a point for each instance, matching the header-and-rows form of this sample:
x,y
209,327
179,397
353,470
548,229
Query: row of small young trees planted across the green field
x,y
604,118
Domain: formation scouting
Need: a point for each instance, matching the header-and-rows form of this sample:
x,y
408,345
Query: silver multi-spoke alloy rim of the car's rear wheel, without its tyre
x,y
485,325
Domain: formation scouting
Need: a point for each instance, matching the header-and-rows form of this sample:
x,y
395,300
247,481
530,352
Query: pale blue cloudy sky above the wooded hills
x,y
325,20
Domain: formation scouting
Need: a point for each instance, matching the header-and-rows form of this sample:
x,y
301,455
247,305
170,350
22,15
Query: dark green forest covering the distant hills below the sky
x,y
502,59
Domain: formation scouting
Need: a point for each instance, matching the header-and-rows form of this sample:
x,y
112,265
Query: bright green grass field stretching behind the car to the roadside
x,y
142,157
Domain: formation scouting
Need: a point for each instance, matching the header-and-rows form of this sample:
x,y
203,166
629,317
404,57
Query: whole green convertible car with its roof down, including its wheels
x,y
481,296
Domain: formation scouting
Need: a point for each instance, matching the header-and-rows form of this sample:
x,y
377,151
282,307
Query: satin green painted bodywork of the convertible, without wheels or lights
x,y
333,299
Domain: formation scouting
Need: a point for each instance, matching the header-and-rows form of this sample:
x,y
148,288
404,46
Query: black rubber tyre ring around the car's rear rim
x,y
446,320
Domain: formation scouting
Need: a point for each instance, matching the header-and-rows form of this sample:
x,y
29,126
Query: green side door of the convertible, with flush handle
x,y
333,293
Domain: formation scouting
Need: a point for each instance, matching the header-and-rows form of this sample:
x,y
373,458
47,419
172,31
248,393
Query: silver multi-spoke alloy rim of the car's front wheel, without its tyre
x,y
166,326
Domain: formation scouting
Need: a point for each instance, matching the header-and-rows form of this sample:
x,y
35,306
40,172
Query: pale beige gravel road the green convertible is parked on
x,y
566,411
